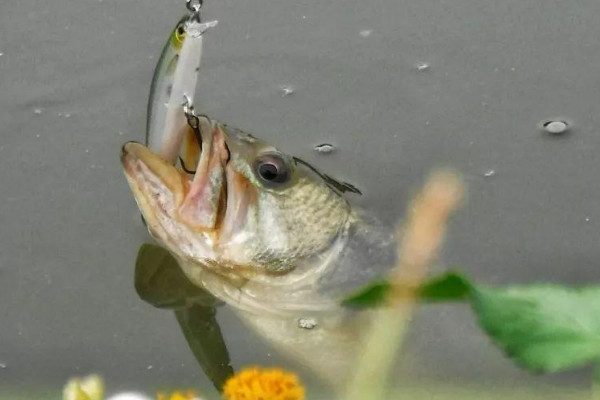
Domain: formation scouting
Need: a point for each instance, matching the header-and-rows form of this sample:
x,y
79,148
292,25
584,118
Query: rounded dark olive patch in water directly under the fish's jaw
x,y
160,281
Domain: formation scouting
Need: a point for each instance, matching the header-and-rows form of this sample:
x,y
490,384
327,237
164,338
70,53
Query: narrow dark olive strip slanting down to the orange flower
x,y
203,334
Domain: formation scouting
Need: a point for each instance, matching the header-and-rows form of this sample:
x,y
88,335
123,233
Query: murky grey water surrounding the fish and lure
x,y
74,76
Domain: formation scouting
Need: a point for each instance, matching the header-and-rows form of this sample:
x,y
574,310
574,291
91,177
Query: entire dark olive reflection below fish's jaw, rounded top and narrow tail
x,y
160,282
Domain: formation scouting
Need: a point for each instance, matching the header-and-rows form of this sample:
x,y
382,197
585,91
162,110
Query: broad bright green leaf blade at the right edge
x,y
544,328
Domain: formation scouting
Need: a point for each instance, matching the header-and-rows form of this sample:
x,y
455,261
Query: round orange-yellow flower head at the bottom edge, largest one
x,y
253,383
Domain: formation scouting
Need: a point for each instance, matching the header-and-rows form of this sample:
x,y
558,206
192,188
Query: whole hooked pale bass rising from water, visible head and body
x,y
270,235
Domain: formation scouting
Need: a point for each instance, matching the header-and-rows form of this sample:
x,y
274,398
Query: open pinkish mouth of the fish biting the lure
x,y
167,194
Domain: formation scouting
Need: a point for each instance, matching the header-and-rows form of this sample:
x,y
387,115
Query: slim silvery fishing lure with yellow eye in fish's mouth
x,y
174,83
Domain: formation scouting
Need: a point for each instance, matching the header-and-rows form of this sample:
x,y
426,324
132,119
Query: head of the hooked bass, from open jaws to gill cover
x,y
247,207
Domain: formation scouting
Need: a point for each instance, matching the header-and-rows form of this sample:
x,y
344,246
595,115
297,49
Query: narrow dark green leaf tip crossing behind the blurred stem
x,y
448,287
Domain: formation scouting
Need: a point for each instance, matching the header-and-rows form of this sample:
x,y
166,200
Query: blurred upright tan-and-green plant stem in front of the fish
x,y
420,241
